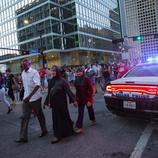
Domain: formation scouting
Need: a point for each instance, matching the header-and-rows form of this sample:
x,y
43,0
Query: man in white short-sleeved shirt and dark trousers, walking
x,y
32,100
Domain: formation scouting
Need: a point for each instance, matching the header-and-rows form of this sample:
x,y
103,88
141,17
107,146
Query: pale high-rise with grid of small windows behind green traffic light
x,y
141,18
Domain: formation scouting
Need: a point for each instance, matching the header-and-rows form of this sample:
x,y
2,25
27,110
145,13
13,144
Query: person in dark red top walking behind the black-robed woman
x,y
85,97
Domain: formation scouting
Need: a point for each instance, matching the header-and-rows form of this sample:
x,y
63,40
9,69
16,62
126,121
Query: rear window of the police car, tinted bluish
x,y
143,71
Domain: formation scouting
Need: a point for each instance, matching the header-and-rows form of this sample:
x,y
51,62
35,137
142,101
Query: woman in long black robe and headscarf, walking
x,y
58,89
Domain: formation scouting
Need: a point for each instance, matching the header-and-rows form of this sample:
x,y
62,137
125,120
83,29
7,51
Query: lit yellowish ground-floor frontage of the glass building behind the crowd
x,y
73,58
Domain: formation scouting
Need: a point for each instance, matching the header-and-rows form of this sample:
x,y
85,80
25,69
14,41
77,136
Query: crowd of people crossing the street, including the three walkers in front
x,y
57,83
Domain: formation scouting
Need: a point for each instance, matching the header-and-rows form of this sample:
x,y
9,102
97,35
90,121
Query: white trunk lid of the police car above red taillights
x,y
137,80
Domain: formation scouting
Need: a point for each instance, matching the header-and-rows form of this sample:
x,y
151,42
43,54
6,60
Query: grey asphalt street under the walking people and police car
x,y
111,137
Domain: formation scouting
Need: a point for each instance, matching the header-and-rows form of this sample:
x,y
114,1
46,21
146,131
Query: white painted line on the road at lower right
x,y
142,142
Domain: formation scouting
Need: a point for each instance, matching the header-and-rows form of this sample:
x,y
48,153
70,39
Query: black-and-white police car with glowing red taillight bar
x,y
136,93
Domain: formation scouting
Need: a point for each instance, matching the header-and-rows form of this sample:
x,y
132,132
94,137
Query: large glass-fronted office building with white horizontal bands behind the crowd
x,y
67,31
